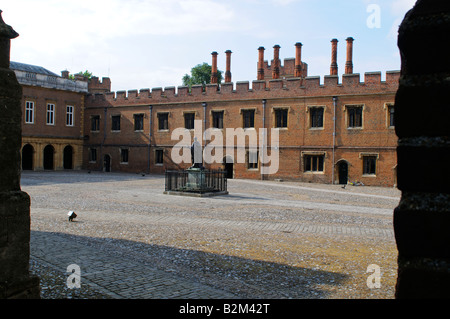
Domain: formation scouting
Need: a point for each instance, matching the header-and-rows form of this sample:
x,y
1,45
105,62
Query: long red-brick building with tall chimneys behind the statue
x,y
339,131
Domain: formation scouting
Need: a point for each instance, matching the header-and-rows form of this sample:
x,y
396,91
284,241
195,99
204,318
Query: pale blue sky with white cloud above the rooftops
x,y
152,43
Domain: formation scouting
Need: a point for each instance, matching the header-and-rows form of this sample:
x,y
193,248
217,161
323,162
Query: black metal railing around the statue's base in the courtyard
x,y
196,181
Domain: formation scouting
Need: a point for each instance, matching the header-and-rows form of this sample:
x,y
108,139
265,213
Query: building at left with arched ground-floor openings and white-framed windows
x,y
52,121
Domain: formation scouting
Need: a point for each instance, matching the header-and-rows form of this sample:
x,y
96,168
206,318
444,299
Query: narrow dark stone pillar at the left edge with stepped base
x,y
15,280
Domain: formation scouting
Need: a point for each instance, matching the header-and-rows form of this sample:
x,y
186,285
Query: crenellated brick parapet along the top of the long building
x,y
347,84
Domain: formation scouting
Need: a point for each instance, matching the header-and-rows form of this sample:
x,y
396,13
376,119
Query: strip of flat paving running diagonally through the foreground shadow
x,y
114,273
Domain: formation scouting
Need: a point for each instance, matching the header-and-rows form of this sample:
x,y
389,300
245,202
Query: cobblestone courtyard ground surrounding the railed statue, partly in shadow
x,y
265,239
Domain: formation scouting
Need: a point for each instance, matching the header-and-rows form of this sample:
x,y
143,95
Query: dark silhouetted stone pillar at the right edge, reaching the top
x,y
422,116
